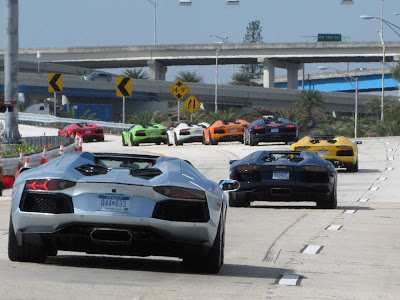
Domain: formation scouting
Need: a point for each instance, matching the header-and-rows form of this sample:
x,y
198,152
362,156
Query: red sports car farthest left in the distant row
x,y
89,131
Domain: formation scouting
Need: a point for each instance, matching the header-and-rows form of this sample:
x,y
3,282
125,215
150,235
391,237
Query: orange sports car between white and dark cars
x,y
224,131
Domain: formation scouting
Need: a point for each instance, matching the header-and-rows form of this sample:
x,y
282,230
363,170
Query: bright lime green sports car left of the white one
x,y
153,133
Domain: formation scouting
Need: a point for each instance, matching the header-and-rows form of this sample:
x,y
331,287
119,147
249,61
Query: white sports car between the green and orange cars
x,y
186,133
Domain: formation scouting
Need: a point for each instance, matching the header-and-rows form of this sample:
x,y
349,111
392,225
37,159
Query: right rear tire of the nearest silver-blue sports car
x,y
213,261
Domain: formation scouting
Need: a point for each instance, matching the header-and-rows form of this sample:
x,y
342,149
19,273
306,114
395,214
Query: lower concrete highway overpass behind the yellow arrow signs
x,y
154,94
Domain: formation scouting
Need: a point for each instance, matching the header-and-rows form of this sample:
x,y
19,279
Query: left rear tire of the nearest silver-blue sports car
x,y
24,253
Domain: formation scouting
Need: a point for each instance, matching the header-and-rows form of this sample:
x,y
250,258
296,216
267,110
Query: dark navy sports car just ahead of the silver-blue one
x,y
283,176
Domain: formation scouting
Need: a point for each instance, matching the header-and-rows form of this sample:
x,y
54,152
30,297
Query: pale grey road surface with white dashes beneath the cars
x,y
273,250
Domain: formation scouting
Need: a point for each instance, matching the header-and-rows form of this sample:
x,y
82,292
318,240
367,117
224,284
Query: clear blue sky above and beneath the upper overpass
x,y
57,23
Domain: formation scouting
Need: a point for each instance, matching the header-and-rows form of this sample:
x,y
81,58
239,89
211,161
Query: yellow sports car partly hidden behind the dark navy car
x,y
339,150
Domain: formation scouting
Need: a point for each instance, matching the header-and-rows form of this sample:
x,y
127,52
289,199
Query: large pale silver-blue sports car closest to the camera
x,y
119,204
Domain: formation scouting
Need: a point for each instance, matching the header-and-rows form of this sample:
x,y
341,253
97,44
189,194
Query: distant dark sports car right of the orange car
x,y
270,129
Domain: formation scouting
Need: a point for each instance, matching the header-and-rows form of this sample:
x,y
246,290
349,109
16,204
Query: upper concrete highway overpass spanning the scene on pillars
x,y
291,56
